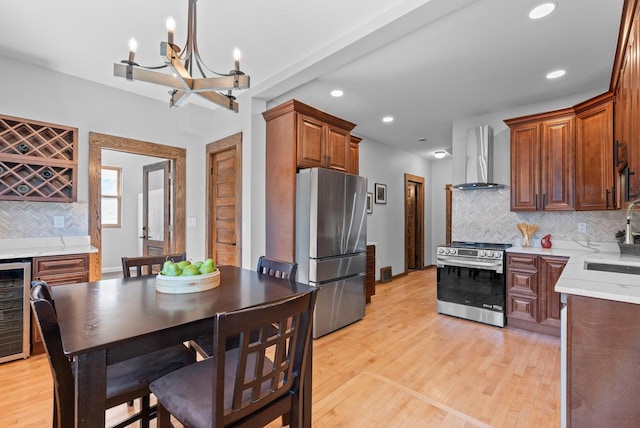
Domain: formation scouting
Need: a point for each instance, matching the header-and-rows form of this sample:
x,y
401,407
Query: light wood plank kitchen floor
x,y
403,365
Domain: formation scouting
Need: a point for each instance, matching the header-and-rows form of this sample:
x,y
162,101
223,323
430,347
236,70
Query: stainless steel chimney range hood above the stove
x,y
479,160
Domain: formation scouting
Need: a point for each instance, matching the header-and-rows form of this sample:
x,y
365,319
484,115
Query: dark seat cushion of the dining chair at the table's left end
x,y
136,373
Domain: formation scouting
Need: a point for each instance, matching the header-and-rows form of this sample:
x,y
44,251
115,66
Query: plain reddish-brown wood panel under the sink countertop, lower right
x,y
603,374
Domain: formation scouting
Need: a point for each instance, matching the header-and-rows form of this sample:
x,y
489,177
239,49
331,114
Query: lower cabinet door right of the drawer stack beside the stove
x,y
550,270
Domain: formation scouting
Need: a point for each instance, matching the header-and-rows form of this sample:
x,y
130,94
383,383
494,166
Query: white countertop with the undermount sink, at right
x,y
575,279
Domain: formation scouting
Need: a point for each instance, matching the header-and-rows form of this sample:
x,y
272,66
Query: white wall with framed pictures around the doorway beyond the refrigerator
x,y
385,227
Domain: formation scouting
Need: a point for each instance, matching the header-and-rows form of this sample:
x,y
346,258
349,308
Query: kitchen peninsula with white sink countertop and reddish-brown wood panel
x,y
600,340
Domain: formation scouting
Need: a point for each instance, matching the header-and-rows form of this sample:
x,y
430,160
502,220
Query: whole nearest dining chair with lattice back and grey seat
x,y
251,385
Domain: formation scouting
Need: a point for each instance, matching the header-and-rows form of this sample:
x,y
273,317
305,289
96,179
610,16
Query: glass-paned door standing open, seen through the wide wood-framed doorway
x,y
156,209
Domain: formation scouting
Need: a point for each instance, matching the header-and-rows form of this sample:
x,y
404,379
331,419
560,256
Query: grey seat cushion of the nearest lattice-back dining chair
x,y
188,393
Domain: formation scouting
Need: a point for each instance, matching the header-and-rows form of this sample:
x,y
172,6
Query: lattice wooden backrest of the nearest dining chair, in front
x,y
270,361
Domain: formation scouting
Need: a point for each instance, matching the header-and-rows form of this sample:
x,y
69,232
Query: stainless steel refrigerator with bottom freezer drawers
x,y
331,244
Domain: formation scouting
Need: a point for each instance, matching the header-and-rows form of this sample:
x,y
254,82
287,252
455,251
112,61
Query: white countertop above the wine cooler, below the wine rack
x,y
52,246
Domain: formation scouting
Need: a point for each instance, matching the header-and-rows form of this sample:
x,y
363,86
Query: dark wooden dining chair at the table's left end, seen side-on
x,y
126,380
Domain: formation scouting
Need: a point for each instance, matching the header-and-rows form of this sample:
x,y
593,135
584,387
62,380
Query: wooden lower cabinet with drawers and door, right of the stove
x,y
532,302
